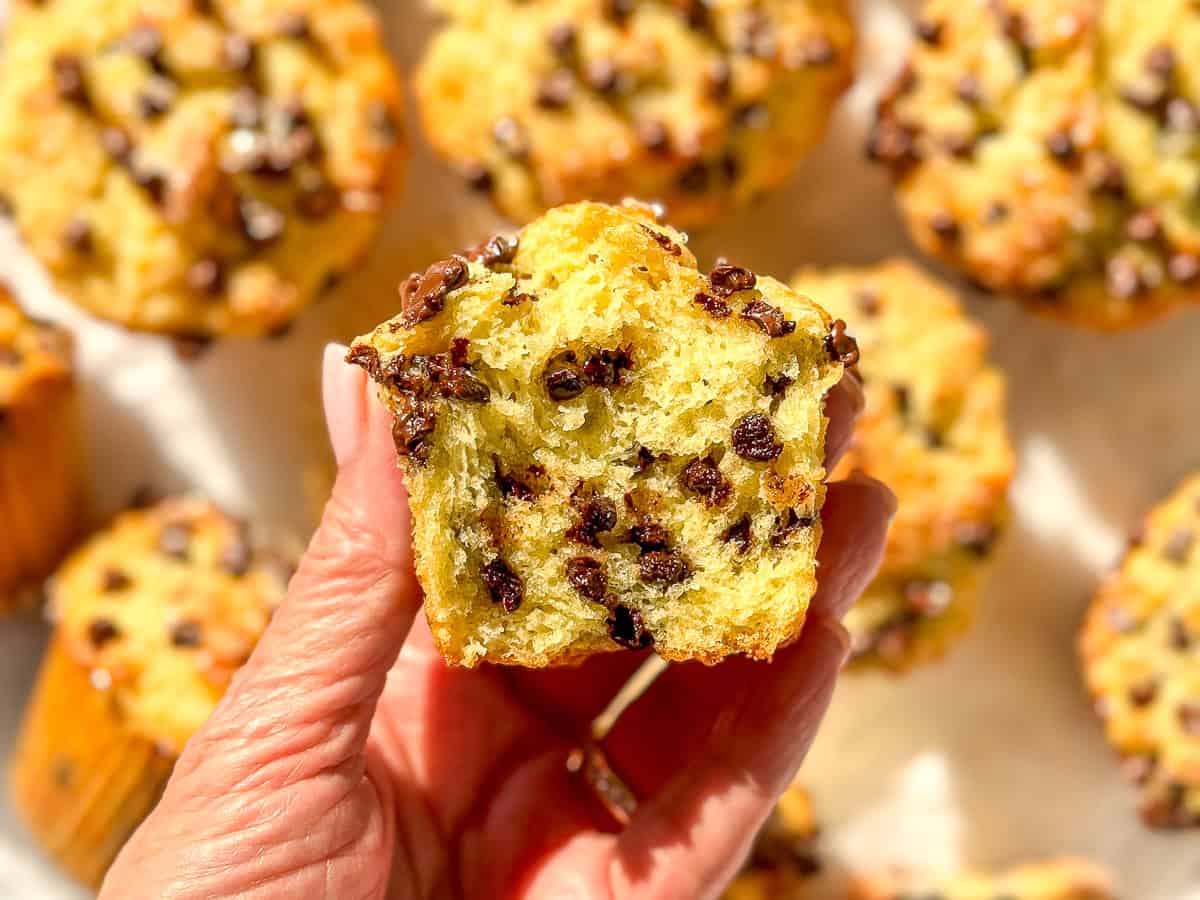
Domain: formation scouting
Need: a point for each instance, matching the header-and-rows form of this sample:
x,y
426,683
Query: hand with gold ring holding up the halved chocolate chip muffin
x,y
349,761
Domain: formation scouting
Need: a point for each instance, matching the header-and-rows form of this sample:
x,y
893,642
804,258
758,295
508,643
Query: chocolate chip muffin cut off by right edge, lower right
x,y
1141,647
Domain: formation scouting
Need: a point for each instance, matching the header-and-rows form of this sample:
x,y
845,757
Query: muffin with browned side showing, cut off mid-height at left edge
x,y
41,479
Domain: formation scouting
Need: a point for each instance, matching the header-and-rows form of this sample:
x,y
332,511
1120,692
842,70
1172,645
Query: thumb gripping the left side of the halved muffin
x,y
309,692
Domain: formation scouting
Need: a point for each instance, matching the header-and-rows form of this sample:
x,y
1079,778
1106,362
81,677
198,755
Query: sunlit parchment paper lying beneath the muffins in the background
x,y
989,759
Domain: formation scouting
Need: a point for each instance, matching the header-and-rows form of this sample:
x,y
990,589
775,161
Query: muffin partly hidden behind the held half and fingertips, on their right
x,y
935,431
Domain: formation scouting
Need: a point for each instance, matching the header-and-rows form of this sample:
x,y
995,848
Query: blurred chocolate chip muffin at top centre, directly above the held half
x,y
699,106
